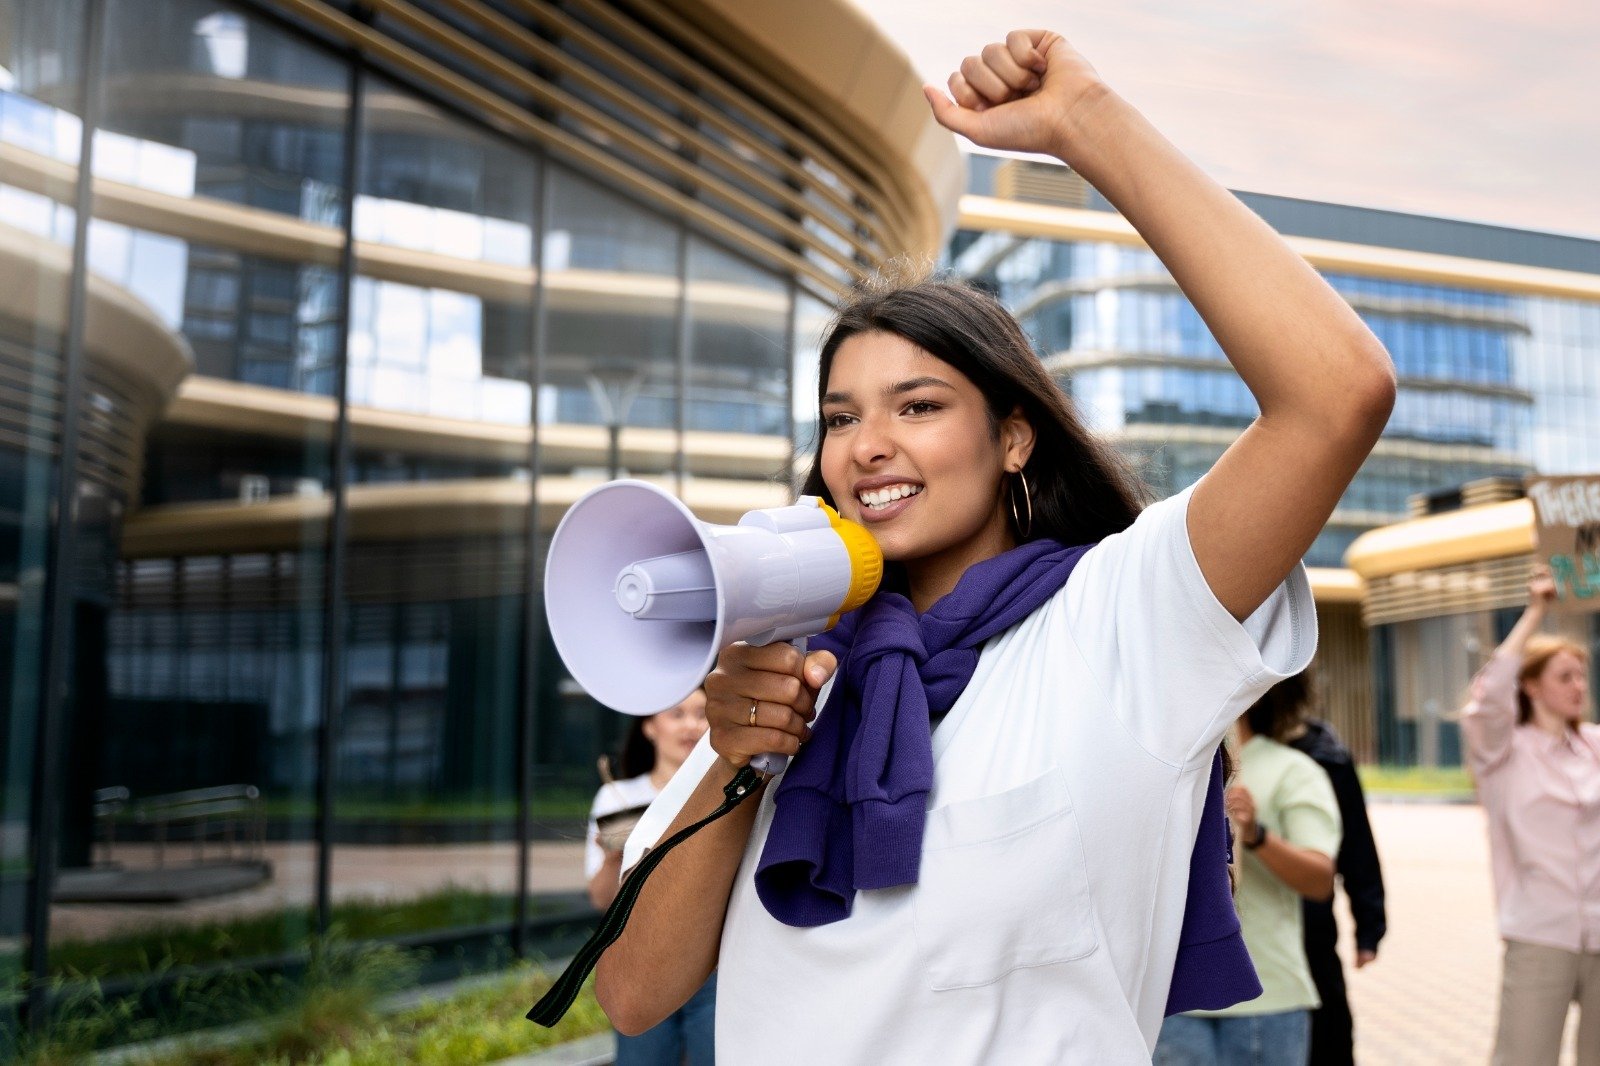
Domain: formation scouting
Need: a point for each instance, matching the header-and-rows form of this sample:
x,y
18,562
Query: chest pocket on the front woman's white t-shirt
x,y
1002,886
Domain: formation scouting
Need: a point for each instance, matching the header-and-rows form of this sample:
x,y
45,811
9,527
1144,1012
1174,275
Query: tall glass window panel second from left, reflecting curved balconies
x,y
199,628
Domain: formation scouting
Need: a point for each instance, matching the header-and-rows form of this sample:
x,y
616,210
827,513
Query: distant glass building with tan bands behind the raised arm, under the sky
x,y
1495,337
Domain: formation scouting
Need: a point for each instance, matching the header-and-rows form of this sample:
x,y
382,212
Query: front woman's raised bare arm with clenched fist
x,y
1324,383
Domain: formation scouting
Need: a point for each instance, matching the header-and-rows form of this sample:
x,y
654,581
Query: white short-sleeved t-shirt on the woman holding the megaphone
x,y
1070,782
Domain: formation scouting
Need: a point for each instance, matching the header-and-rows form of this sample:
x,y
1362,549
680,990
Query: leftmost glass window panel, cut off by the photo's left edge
x,y
41,70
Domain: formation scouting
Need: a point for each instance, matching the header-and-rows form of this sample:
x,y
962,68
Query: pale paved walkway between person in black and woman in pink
x,y
1431,998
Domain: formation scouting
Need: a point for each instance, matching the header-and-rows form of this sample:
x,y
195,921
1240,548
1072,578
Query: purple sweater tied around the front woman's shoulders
x,y
850,809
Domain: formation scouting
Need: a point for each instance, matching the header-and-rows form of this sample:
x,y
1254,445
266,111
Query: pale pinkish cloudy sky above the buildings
x,y
1473,110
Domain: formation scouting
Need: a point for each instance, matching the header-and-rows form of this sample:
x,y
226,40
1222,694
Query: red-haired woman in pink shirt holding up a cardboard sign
x,y
1537,763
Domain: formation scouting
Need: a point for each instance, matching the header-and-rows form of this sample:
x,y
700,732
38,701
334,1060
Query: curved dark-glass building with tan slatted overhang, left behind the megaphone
x,y
314,318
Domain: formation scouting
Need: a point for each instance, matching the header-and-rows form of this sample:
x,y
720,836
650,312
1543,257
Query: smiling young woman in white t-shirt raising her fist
x,y
1010,889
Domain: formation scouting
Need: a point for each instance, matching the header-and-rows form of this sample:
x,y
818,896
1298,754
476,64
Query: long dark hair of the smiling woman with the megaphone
x,y
1081,489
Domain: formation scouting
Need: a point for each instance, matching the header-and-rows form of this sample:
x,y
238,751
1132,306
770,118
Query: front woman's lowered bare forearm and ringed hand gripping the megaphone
x,y
673,937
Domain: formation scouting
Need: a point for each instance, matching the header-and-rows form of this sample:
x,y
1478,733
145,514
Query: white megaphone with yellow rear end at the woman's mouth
x,y
642,596
